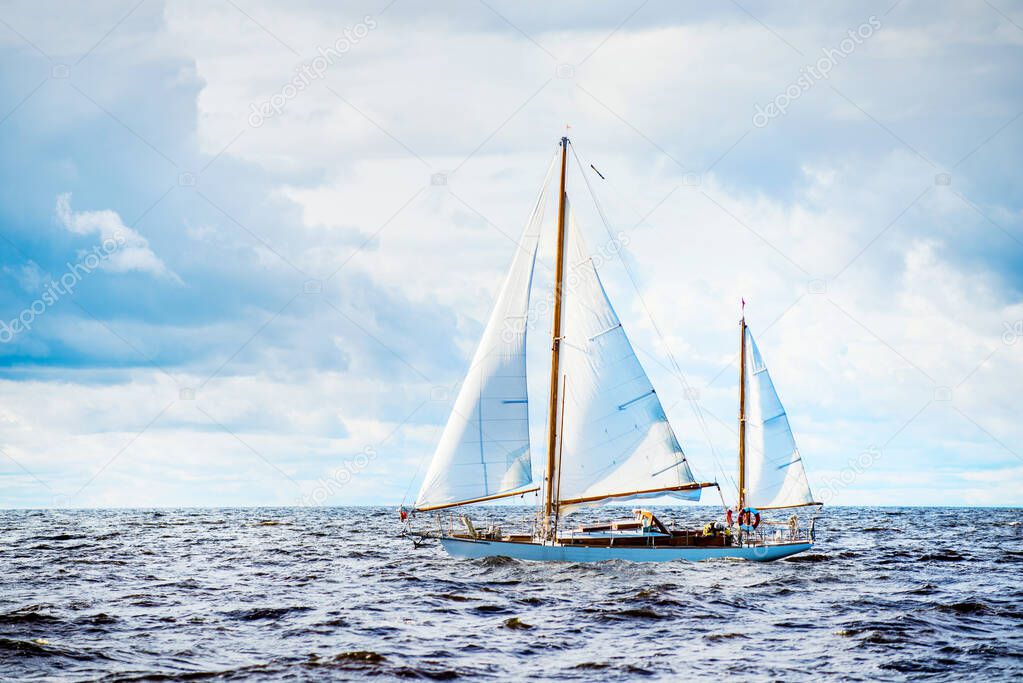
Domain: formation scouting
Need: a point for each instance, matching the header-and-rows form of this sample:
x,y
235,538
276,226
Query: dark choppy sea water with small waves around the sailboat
x,y
333,595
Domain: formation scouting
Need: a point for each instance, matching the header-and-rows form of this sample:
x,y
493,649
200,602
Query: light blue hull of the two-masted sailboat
x,y
563,554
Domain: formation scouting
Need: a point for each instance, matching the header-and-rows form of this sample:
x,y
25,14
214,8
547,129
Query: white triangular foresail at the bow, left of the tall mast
x,y
484,449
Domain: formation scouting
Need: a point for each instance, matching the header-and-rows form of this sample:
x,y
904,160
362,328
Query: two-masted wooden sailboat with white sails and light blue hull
x,y
608,436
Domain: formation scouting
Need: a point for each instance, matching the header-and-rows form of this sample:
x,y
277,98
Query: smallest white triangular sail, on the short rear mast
x,y
775,474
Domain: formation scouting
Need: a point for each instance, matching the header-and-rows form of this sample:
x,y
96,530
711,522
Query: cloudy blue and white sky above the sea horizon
x,y
247,250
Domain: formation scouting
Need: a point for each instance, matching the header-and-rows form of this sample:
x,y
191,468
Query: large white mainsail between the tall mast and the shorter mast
x,y
615,437
